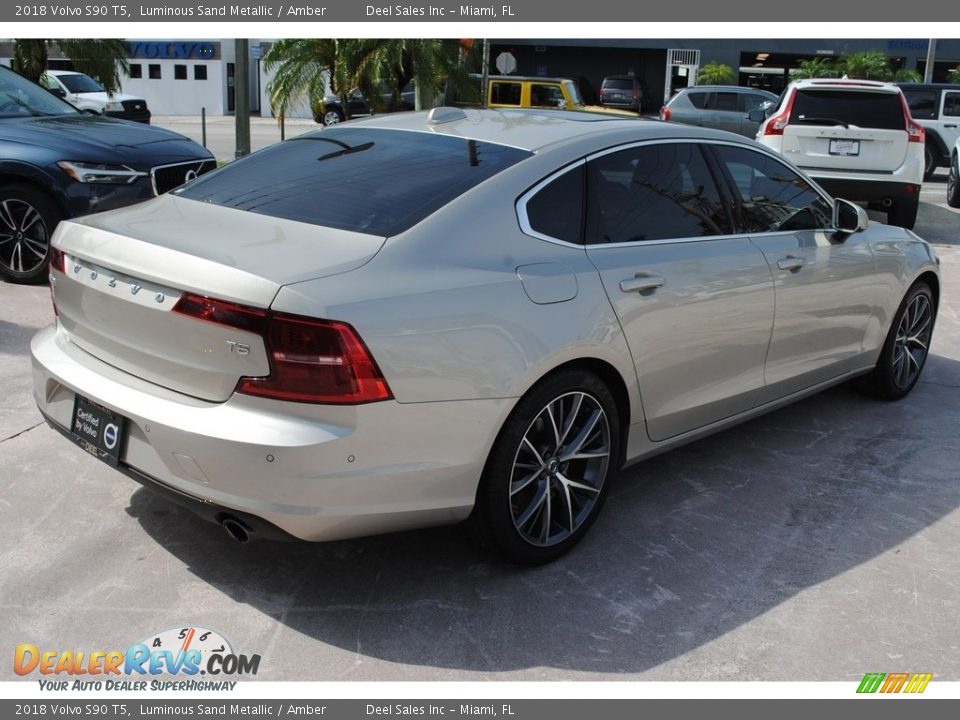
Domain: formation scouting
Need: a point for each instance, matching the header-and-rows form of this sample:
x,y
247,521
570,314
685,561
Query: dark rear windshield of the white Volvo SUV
x,y
850,107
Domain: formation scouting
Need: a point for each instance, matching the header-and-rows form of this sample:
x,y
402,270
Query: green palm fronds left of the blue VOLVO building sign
x,y
105,60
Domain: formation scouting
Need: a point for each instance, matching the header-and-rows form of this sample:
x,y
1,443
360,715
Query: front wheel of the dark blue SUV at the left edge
x,y
27,221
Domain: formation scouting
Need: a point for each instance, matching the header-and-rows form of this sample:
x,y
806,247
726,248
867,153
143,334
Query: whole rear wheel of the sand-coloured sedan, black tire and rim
x,y
550,469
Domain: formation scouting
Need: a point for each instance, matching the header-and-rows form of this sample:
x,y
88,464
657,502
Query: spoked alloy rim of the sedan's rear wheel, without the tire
x,y
559,469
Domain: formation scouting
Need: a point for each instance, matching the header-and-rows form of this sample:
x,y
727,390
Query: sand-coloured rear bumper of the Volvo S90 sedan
x,y
312,472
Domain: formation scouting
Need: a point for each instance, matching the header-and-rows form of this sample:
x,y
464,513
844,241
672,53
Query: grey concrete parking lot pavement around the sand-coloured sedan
x,y
815,543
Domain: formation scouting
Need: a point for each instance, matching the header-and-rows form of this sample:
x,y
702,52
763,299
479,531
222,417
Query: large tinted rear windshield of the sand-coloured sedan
x,y
373,181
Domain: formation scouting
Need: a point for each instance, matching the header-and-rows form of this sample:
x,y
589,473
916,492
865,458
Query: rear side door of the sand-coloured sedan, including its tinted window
x,y
695,301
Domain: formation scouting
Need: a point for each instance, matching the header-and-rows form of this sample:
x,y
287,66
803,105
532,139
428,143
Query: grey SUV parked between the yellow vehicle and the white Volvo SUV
x,y
724,107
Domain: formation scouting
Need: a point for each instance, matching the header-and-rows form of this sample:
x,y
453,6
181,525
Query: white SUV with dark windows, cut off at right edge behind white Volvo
x,y
937,108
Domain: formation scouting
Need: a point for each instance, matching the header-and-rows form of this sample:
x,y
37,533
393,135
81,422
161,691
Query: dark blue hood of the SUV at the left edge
x,y
90,137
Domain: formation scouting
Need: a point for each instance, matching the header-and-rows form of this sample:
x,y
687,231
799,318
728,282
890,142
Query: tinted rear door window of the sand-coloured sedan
x,y
653,192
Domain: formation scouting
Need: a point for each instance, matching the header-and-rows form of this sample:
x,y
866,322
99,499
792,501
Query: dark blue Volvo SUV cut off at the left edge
x,y
56,162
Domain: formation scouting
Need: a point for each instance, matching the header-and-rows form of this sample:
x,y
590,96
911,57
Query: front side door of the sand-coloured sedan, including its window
x,y
824,283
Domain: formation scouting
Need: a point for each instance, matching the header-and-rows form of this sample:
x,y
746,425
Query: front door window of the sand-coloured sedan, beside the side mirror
x,y
773,197
